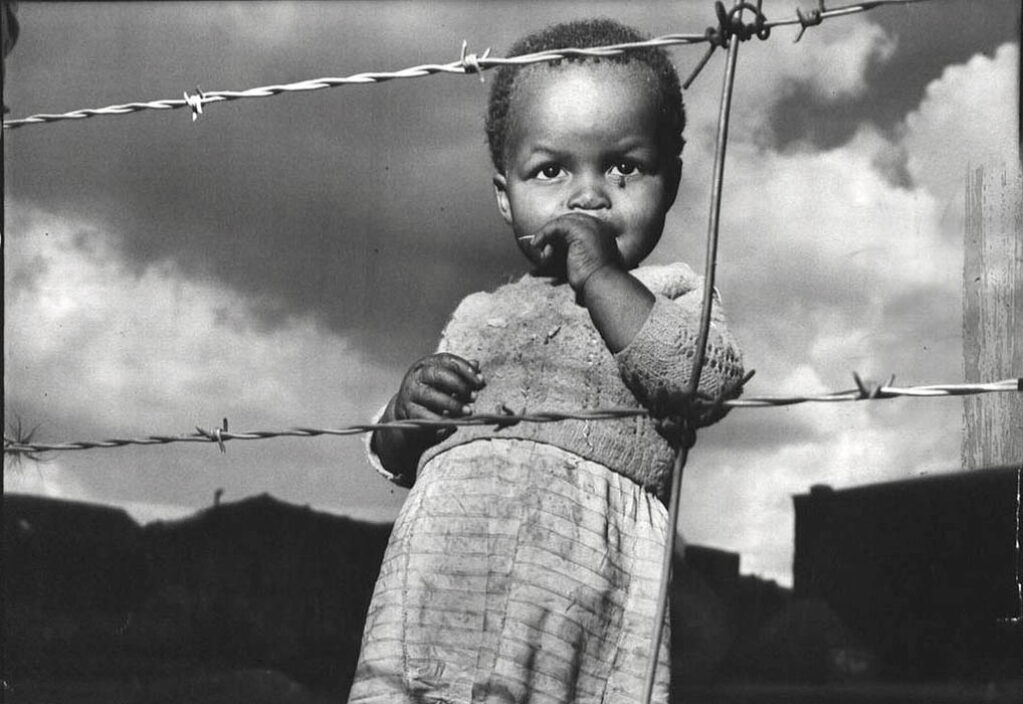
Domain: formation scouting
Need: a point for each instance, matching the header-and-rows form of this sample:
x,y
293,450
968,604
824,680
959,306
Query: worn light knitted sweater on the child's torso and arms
x,y
539,350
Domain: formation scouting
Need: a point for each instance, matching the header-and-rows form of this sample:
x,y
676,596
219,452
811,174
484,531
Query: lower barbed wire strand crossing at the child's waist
x,y
15,447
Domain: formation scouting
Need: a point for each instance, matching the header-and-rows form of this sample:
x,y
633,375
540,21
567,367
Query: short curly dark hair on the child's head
x,y
585,34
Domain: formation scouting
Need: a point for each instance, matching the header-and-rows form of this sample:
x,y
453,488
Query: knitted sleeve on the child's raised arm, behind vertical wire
x,y
657,365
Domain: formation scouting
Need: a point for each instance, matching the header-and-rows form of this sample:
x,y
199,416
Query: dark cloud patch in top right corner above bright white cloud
x,y
928,37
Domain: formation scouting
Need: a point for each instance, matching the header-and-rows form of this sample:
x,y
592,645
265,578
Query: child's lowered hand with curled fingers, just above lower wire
x,y
438,386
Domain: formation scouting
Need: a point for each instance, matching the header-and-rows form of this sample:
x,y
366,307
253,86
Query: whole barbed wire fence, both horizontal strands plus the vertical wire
x,y
731,26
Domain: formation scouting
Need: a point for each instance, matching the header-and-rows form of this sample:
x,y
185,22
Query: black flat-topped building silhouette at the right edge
x,y
922,573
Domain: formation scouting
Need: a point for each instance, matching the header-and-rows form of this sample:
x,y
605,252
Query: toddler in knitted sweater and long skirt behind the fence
x,y
524,565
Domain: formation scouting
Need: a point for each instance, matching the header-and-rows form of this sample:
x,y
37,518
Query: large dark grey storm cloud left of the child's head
x,y
370,207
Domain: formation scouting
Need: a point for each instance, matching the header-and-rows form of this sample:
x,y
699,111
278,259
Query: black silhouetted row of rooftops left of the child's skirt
x,y
258,584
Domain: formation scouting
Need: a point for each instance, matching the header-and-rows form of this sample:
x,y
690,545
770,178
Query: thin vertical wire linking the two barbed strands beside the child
x,y
710,266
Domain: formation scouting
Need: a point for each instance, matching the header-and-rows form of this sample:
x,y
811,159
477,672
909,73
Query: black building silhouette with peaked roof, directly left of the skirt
x,y
264,582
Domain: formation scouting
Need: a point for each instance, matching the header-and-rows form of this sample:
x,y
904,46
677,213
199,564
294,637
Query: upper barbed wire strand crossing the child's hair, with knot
x,y
471,64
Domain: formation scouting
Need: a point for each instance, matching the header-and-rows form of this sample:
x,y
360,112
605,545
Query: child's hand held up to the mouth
x,y
584,243
